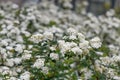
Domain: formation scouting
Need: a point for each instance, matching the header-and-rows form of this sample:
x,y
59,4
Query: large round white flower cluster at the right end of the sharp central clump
x,y
95,42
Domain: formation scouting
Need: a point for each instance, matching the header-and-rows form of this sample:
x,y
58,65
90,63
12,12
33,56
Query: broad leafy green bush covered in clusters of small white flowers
x,y
46,42
